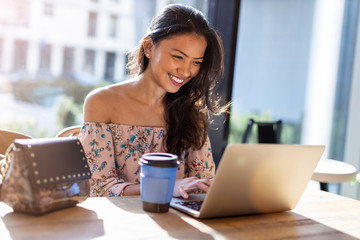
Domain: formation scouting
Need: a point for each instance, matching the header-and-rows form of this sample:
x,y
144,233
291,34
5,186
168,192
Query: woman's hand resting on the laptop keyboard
x,y
186,185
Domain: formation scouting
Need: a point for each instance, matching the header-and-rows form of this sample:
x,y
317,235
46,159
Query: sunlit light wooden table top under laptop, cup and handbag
x,y
318,215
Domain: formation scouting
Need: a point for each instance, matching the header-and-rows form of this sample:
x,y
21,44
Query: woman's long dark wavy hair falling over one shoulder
x,y
187,110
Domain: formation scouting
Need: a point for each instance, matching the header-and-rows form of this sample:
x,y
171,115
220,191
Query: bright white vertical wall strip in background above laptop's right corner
x,y
323,69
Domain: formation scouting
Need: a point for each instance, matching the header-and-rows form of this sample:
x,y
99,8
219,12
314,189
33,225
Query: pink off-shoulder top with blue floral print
x,y
113,151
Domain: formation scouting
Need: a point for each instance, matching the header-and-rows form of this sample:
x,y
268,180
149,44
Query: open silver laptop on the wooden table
x,y
255,179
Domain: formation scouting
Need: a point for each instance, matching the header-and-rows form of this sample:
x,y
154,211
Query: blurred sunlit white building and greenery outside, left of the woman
x,y
54,52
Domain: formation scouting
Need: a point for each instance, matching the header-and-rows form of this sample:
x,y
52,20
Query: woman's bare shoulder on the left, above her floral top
x,y
101,103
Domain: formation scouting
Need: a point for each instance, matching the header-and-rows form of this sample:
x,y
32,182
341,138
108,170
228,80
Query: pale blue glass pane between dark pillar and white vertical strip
x,y
272,65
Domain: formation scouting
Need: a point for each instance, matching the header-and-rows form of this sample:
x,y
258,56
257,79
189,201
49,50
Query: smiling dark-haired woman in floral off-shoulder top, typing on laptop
x,y
164,108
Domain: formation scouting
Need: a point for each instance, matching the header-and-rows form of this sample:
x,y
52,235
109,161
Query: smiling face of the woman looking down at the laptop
x,y
176,60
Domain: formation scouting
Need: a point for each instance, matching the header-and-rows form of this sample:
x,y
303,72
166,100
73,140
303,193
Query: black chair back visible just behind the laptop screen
x,y
267,132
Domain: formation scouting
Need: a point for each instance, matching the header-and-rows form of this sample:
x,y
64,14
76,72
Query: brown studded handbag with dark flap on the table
x,y
45,174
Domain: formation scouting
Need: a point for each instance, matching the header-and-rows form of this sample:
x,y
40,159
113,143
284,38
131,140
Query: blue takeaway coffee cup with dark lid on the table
x,y
157,180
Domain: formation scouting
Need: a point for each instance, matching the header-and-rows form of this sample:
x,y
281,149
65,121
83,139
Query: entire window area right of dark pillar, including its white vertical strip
x,y
293,61
